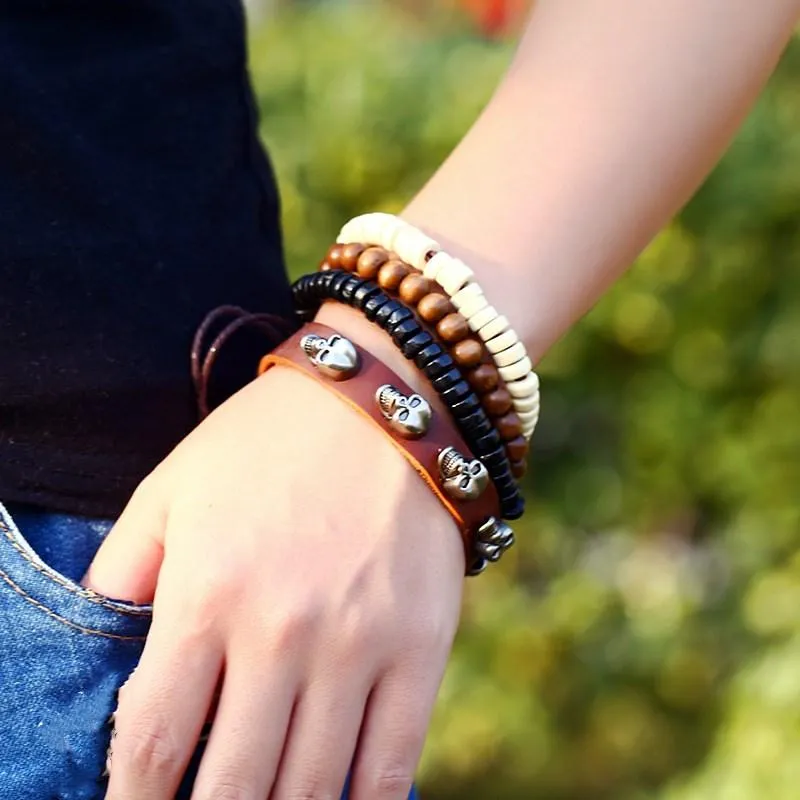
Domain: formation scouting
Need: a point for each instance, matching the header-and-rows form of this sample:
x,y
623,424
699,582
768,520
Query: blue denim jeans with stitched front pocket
x,y
64,653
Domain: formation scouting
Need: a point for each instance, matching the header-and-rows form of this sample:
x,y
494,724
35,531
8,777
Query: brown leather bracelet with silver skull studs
x,y
477,519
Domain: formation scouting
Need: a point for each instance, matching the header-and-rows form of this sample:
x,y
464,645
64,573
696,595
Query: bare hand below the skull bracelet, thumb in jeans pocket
x,y
300,566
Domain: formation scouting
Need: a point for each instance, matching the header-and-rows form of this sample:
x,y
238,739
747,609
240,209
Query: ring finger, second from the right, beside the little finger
x,y
322,739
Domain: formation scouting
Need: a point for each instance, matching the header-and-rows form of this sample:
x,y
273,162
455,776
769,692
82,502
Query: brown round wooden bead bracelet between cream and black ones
x,y
466,348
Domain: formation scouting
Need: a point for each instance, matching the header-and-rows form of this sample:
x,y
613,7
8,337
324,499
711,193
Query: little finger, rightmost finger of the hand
x,y
393,734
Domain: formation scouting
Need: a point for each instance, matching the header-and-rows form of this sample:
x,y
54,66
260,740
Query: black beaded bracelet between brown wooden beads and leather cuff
x,y
419,346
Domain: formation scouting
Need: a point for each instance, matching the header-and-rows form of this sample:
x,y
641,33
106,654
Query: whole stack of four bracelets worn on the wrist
x,y
438,317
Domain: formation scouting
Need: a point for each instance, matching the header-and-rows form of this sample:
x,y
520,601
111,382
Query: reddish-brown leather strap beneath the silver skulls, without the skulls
x,y
359,393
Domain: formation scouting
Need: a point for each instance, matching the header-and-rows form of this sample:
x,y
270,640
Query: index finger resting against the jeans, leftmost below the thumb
x,y
162,709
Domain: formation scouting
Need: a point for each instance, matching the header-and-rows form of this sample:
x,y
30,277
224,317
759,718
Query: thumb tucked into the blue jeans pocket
x,y
127,564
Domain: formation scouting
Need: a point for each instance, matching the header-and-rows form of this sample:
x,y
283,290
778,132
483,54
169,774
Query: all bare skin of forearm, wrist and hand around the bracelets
x,y
321,597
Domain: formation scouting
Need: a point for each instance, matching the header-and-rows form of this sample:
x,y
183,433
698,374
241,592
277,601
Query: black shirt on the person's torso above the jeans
x,y
134,198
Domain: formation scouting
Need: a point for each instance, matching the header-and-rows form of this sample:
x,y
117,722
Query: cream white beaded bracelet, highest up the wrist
x,y
457,280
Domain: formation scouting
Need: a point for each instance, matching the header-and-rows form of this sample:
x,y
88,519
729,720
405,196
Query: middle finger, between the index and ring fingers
x,y
249,730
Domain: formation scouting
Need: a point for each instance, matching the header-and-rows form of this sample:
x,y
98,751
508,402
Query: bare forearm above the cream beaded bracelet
x,y
612,113
